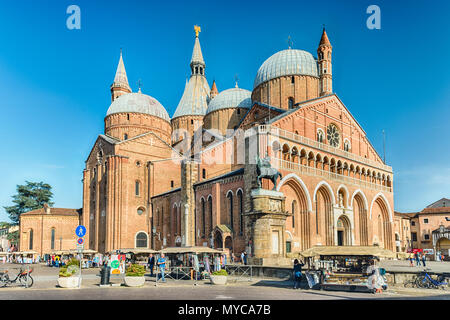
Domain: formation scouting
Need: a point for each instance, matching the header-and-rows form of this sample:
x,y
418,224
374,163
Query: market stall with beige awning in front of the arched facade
x,y
344,268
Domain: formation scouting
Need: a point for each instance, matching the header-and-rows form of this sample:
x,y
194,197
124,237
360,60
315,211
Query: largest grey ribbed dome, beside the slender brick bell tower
x,y
287,63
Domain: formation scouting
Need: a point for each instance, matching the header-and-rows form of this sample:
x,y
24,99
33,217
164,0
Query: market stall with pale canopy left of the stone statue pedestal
x,y
190,262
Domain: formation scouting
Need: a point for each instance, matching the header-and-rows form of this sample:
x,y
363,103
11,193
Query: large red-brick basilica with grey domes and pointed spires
x,y
155,181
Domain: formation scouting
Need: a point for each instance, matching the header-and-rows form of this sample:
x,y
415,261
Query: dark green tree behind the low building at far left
x,y
30,196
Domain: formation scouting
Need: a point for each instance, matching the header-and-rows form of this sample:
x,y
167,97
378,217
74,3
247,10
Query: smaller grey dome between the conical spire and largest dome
x,y
231,98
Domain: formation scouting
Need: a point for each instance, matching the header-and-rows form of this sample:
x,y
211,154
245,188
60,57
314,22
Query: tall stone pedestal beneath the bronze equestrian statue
x,y
266,223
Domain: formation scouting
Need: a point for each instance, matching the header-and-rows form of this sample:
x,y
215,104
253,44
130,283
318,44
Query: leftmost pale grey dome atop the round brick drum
x,y
138,103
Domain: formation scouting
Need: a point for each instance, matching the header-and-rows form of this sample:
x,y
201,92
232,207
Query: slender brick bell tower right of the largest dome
x,y
324,53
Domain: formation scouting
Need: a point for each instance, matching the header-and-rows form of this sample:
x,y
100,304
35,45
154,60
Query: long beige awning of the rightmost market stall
x,y
347,251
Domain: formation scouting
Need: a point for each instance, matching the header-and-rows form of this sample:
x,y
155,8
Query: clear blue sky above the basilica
x,y
54,82
